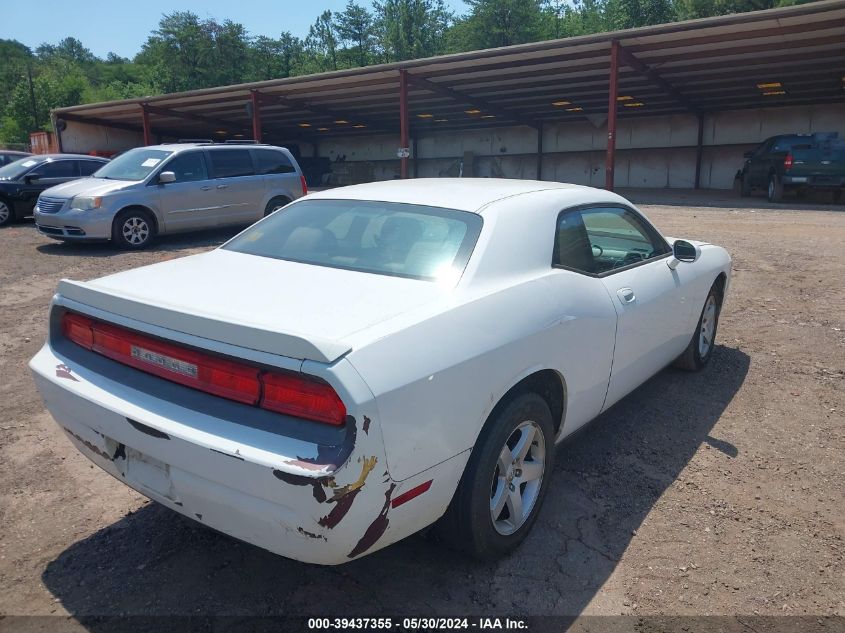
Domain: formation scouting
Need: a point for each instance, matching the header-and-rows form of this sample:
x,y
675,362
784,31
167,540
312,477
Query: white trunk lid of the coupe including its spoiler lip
x,y
286,308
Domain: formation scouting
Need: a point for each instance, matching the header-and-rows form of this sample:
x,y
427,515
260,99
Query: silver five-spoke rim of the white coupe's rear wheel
x,y
517,478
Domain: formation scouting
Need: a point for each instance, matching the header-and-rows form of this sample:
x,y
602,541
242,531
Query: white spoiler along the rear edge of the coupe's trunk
x,y
239,334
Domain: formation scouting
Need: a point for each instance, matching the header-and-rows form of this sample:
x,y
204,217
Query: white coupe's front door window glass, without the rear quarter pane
x,y
618,237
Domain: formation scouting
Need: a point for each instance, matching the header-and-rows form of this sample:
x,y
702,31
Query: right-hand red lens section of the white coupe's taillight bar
x,y
302,398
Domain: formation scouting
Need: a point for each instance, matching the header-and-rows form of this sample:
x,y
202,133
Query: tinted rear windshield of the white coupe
x,y
404,240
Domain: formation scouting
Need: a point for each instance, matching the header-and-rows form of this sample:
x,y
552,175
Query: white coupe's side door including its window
x,y
630,259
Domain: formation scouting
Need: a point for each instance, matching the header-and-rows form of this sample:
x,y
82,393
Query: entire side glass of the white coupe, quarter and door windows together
x,y
600,240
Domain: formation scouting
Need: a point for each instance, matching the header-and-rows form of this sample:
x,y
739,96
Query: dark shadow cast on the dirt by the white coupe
x,y
608,478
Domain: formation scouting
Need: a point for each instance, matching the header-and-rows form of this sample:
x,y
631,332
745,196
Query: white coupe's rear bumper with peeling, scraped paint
x,y
249,483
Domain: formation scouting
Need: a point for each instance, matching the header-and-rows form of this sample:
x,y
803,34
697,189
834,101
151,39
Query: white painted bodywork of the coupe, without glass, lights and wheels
x,y
419,365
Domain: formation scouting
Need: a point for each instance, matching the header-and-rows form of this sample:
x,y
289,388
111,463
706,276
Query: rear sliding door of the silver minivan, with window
x,y
238,190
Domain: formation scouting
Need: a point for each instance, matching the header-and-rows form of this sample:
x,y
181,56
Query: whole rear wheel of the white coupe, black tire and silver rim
x,y
495,482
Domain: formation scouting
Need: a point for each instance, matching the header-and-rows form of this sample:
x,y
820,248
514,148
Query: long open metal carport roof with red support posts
x,y
780,57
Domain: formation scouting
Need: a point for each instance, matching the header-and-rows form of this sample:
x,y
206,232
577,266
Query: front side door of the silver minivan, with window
x,y
190,202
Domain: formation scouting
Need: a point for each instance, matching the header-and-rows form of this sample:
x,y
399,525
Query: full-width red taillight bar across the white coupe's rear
x,y
289,394
